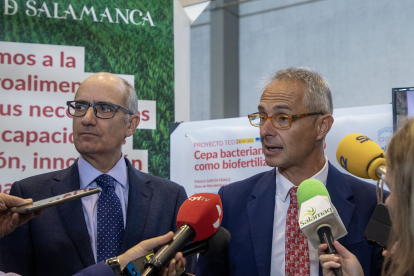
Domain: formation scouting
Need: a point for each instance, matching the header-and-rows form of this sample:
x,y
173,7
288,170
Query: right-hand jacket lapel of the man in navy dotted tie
x,y
139,199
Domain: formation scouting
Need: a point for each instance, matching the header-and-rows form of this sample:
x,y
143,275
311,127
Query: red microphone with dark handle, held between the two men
x,y
198,218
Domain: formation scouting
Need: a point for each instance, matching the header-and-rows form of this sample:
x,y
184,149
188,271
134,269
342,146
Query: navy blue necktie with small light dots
x,y
110,219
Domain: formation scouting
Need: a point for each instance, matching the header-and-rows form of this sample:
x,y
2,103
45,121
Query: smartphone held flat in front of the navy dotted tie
x,y
51,201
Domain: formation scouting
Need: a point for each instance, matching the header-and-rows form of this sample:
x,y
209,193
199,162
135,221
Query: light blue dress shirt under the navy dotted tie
x,y
87,175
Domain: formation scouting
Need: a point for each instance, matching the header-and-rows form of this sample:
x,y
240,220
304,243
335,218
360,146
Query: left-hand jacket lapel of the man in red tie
x,y
261,214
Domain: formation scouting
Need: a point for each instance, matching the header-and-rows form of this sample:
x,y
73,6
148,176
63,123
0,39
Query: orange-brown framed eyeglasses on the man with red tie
x,y
278,121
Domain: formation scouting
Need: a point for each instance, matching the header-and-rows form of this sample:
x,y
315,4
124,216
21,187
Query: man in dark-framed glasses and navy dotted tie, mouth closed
x,y
133,206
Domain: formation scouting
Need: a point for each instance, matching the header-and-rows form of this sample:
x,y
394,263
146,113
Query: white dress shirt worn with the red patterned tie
x,y
283,185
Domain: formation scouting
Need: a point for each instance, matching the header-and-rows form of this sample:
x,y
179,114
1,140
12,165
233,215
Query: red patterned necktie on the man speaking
x,y
296,244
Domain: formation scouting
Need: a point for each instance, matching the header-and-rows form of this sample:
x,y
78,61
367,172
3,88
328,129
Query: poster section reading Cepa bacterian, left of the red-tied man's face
x,y
209,154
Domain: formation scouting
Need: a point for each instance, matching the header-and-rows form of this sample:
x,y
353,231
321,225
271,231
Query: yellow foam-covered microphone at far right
x,y
361,156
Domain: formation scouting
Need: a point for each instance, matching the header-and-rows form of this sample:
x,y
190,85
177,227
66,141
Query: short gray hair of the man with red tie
x,y
318,97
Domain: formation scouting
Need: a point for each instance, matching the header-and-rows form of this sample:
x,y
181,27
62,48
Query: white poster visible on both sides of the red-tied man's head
x,y
206,155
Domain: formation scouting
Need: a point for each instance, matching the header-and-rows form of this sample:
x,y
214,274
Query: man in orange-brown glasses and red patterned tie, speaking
x,y
294,116
